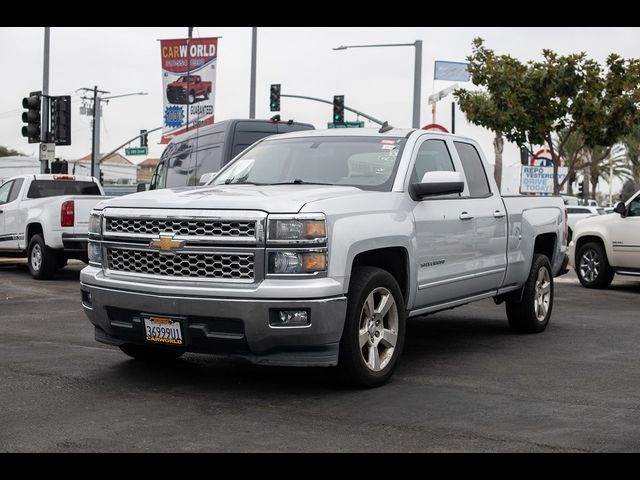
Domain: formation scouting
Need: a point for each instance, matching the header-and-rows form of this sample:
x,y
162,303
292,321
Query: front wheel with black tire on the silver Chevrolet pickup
x,y
351,362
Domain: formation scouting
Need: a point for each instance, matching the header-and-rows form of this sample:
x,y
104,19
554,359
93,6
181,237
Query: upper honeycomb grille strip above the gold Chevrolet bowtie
x,y
190,227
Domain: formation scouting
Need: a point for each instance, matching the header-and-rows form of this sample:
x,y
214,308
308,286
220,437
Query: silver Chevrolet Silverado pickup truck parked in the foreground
x,y
314,247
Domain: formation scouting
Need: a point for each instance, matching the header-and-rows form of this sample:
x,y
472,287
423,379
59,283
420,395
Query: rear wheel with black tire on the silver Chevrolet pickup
x,y
524,316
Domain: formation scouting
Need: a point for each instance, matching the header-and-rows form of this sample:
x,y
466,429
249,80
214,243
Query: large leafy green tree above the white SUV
x,y
537,100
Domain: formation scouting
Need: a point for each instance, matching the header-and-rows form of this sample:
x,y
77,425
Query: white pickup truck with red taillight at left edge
x,y
46,217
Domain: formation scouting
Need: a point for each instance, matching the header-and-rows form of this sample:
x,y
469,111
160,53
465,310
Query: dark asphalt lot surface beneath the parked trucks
x,y
465,383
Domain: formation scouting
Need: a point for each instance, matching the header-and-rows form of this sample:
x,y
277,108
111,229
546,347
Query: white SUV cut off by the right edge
x,y
604,245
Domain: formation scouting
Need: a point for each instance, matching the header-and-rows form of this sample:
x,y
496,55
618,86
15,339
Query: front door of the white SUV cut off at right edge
x,y
625,237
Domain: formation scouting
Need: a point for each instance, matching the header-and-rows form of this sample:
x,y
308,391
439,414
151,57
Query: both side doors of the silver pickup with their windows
x,y
461,238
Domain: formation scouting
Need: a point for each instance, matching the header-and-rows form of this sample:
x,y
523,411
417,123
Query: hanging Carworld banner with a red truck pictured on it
x,y
188,84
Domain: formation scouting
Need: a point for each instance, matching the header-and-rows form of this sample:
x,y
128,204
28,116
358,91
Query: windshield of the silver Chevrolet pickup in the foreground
x,y
364,162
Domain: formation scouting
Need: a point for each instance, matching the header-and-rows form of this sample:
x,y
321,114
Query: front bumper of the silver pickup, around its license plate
x,y
237,326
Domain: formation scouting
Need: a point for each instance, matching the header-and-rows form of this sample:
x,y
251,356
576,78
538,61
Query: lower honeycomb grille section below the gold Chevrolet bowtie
x,y
223,266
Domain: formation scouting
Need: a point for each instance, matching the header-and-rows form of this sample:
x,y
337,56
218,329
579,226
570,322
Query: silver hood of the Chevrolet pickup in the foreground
x,y
270,199
